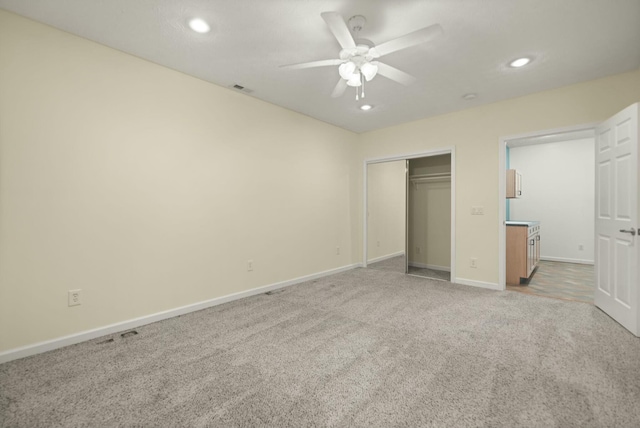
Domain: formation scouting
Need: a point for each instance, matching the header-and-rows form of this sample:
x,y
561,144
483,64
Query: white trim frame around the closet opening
x,y
450,150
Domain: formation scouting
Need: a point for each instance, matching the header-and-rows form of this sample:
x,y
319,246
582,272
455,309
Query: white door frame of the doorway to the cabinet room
x,y
502,188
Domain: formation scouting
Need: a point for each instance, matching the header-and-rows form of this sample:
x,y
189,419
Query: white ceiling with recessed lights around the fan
x,y
570,40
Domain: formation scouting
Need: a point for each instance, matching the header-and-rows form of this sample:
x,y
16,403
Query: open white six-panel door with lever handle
x,y
617,255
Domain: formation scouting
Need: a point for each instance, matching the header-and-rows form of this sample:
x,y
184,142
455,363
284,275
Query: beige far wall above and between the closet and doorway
x,y
475,135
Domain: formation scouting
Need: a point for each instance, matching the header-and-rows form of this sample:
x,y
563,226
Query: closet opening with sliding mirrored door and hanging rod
x,y
409,213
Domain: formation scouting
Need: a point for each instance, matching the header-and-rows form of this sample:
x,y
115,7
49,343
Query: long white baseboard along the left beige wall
x,y
49,345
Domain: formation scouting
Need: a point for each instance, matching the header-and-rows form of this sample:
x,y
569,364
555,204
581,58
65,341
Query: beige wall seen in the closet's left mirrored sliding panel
x,y
386,209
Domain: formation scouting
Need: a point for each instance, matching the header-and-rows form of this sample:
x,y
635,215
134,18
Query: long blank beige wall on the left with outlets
x,y
149,189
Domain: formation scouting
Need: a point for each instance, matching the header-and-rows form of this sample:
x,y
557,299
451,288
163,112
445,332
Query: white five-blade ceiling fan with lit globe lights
x,y
357,62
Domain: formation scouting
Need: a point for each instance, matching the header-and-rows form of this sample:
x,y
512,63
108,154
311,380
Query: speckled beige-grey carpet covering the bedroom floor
x,y
362,348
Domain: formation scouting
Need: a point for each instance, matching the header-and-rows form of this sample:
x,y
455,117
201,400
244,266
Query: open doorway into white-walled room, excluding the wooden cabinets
x,y
558,189
